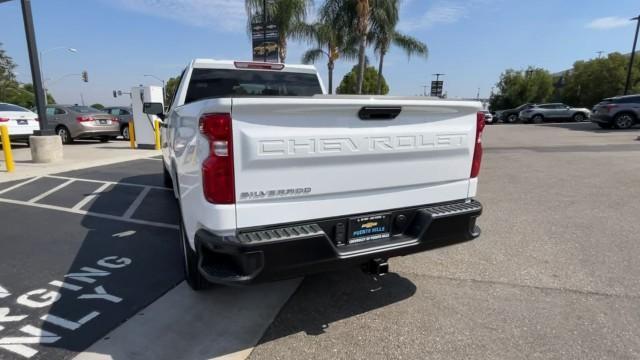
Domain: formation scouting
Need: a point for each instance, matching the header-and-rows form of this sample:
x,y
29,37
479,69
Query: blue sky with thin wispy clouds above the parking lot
x,y
471,41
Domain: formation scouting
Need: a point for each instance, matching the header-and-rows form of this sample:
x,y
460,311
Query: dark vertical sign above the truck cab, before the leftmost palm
x,y
264,36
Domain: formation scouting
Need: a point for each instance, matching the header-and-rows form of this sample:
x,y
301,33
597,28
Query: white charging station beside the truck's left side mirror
x,y
144,128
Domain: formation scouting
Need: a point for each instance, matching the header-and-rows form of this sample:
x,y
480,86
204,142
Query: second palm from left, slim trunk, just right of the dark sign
x,y
330,39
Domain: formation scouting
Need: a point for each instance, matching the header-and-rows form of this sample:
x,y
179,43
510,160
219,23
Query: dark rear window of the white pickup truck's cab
x,y
218,83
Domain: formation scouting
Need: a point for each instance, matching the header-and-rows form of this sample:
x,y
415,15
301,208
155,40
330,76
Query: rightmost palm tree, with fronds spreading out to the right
x,y
383,33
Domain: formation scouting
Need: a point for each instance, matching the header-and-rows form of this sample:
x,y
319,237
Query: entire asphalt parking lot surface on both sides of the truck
x,y
554,274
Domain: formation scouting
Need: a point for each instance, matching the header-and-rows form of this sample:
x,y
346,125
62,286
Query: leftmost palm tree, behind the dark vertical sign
x,y
287,15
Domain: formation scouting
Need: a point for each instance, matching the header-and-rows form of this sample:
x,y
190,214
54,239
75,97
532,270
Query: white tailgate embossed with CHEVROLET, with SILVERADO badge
x,y
298,159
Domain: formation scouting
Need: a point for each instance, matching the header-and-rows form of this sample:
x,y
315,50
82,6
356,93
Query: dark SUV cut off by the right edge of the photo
x,y
621,112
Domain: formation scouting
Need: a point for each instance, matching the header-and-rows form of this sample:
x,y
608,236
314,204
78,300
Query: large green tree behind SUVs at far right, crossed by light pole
x,y
588,82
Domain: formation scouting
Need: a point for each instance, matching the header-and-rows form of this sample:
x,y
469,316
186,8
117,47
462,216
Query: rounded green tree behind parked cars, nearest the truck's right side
x,y
517,87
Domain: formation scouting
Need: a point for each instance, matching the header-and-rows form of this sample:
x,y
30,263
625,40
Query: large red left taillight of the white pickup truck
x,y
218,181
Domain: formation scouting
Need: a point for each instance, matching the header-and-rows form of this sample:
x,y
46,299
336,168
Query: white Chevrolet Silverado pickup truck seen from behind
x,y
277,180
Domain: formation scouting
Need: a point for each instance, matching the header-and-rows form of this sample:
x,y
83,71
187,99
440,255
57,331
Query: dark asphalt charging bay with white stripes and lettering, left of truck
x,y
104,239
